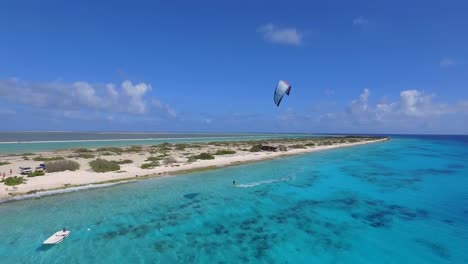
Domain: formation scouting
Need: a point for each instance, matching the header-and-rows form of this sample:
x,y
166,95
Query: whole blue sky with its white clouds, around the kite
x,y
361,67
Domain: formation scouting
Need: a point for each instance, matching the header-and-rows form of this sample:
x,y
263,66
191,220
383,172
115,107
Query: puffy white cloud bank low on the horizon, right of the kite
x,y
413,111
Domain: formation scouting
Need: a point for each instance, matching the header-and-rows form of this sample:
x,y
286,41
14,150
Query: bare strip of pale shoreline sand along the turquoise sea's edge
x,y
70,181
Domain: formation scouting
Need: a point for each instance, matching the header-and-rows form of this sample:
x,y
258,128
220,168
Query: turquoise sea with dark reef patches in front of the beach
x,y
402,201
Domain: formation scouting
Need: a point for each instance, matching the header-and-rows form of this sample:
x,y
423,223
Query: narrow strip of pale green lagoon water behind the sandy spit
x,y
21,142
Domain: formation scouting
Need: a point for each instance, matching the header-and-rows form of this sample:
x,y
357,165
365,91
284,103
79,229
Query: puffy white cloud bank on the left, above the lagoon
x,y
84,97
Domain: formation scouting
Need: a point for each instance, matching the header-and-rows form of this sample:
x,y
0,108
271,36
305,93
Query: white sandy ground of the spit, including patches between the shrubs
x,y
85,175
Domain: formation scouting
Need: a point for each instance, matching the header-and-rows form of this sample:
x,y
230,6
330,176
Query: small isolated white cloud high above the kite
x,y
287,36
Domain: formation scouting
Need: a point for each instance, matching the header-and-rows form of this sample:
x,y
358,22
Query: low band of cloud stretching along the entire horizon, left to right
x,y
133,107
